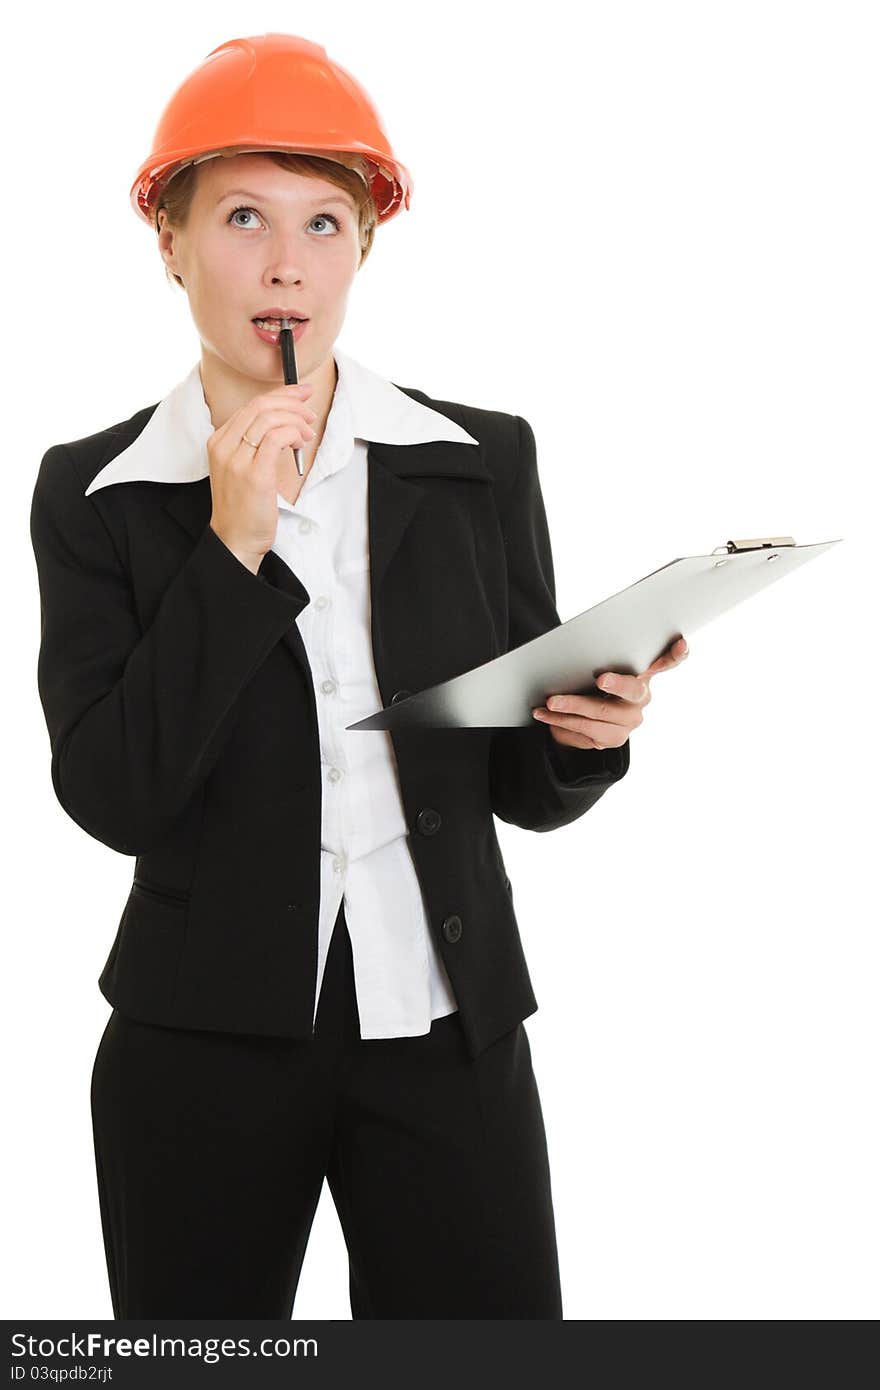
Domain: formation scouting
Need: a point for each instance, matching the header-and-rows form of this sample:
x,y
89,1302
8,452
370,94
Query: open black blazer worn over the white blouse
x,y
184,732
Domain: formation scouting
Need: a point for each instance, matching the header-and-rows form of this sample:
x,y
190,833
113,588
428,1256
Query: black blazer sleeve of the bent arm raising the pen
x,y
137,719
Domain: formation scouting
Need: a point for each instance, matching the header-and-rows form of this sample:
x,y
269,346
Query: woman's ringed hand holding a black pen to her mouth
x,y
245,480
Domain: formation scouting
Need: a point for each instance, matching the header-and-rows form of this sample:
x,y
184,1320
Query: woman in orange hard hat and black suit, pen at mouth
x,y
319,971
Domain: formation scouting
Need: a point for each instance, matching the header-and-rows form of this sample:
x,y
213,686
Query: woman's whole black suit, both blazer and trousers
x,y
184,732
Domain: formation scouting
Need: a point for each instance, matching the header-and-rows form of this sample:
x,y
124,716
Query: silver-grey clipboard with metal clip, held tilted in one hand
x,y
625,633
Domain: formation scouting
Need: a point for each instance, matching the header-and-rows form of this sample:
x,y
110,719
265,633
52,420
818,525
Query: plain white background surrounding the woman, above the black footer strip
x,y
651,230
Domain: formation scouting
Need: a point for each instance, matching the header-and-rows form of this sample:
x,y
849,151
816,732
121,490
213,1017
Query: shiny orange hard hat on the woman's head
x,y
273,92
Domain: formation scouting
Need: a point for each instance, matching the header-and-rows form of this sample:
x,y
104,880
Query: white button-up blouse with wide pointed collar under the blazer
x,y
323,539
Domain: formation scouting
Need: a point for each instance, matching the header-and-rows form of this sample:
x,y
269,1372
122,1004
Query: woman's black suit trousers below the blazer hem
x,y
212,1152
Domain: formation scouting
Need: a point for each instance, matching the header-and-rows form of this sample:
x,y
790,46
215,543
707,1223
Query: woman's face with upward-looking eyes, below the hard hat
x,y
261,237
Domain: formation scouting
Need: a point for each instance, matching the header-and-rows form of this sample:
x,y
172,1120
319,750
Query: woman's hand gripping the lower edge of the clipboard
x,y
590,722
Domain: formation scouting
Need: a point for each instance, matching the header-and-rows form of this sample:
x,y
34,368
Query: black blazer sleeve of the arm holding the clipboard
x,y
535,782
